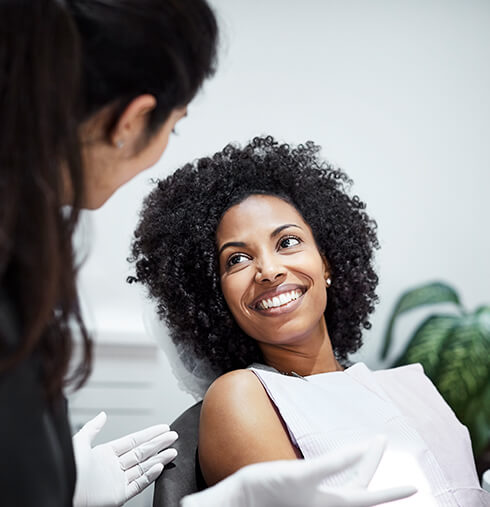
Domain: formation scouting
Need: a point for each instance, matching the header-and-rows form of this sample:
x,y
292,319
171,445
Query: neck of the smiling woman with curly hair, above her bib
x,y
306,356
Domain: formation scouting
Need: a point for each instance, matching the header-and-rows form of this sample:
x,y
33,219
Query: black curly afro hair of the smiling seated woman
x,y
176,255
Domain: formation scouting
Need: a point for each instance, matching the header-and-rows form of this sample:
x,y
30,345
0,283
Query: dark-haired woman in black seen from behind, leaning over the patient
x,y
90,91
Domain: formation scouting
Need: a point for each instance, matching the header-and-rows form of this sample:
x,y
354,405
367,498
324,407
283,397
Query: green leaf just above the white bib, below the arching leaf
x,y
426,343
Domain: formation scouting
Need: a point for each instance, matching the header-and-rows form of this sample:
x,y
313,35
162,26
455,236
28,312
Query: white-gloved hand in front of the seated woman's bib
x,y
295,483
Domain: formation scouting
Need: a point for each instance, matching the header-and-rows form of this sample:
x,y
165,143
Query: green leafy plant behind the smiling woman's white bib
x,y
454,349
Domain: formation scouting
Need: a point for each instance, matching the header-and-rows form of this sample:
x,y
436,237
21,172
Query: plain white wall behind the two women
x,y
396,92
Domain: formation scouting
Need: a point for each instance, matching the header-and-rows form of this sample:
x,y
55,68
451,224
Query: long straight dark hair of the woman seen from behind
x,y
61,62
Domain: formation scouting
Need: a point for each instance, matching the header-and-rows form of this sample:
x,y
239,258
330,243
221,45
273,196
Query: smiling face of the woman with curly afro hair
x,y
272,274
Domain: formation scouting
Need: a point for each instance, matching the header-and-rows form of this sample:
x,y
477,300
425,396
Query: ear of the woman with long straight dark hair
x,y
132,123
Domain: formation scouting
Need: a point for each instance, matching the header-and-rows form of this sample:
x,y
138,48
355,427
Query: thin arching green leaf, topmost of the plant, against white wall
x,y
428,294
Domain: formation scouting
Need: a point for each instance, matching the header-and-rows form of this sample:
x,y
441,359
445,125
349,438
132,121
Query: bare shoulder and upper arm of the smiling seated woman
x,y
239,425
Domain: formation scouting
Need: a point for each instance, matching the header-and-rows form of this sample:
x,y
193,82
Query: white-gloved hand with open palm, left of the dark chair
x,y
108,475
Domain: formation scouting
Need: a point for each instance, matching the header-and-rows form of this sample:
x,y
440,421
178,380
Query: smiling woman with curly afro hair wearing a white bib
x,y
259,255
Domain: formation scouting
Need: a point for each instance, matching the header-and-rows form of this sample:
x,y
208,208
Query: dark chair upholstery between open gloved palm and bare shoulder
x,y
183,476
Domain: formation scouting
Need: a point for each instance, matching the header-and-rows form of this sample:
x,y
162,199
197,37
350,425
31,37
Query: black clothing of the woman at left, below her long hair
x,y
36,455
